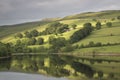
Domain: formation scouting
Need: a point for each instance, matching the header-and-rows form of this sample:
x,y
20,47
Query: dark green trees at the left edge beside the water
x,y
5,49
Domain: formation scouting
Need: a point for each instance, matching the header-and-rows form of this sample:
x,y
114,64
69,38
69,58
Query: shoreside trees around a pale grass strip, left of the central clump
x,y
21,47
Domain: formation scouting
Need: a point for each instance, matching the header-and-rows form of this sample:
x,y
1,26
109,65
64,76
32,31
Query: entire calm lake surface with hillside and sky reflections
x,y
57,67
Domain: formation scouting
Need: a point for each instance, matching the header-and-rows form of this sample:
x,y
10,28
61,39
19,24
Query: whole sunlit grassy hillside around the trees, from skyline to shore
x,y
104,36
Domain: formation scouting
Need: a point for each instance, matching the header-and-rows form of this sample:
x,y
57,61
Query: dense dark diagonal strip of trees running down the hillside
x,y
82,33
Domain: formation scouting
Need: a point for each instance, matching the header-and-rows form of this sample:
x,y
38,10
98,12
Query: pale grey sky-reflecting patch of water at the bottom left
x,y
23,76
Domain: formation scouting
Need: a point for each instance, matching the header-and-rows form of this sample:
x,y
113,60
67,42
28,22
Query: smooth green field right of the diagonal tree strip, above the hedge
x,y
104,35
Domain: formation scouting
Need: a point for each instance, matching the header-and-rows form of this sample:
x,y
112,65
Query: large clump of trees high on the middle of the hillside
x,y
55,28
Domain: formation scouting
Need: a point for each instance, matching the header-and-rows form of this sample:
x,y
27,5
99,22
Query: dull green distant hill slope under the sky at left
x,y
8,30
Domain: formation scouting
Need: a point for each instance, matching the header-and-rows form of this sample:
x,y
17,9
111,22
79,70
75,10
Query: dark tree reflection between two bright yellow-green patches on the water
x,y
56,66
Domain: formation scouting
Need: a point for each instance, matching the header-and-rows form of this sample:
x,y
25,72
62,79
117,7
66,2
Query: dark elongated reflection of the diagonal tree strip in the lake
x,y
82,68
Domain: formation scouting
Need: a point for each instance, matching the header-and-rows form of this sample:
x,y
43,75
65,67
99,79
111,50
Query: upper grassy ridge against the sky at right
x,y
95,15
